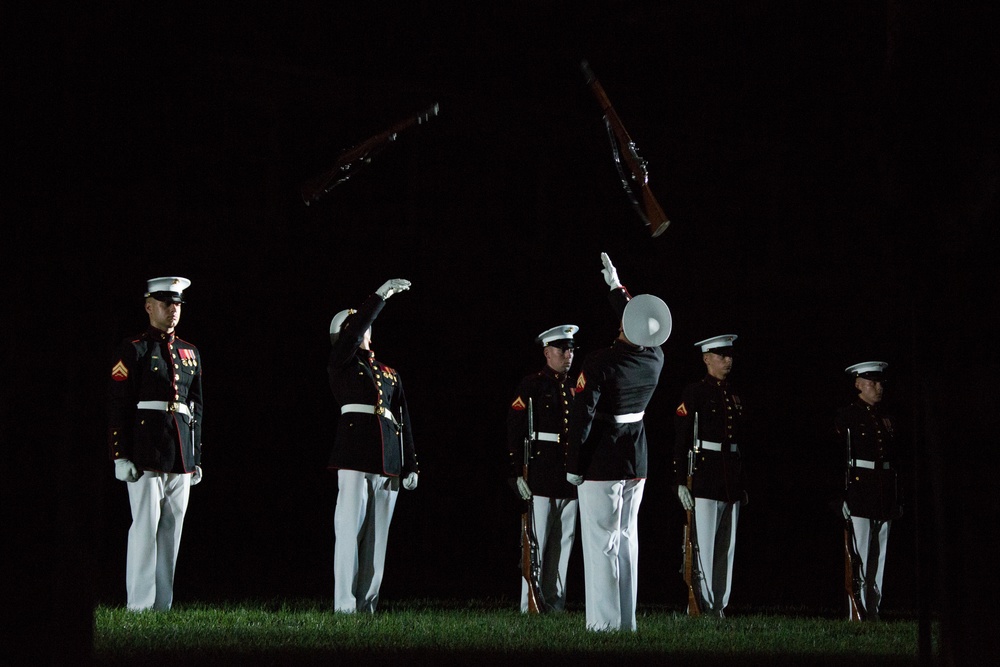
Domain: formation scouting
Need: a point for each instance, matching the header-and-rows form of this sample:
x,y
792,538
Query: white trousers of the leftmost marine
x,y
159,502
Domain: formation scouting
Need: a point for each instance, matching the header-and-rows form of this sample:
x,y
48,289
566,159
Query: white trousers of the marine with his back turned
x,y
609,527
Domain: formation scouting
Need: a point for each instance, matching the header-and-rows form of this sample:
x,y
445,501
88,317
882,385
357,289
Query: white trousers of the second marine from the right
x,y
715,531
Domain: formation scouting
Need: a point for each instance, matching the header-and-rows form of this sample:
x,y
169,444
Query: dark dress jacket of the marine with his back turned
x,y
615,380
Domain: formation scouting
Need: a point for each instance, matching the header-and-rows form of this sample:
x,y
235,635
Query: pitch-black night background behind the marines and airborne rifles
x,y
830,169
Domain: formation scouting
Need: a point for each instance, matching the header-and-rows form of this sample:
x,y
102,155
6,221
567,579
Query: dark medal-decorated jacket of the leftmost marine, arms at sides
x,y
156,366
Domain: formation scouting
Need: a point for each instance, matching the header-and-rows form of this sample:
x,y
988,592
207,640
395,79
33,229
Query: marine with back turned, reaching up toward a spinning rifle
x,y
607,452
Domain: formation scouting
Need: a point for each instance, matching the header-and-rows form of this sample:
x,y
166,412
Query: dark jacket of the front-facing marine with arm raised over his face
x,y
370,443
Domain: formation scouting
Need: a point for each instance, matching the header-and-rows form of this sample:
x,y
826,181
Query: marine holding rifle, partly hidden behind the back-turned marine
x,y
553,500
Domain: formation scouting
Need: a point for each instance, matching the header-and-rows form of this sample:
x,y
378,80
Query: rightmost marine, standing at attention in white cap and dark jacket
x,y
869,434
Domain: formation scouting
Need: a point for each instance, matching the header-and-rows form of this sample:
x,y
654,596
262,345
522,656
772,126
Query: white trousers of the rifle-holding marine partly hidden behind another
x,y
555,529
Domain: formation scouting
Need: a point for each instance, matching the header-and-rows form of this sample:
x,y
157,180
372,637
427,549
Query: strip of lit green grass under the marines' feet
x,y
483,633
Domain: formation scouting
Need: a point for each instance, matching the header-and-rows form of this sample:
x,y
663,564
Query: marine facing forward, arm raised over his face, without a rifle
x,y
373,452
